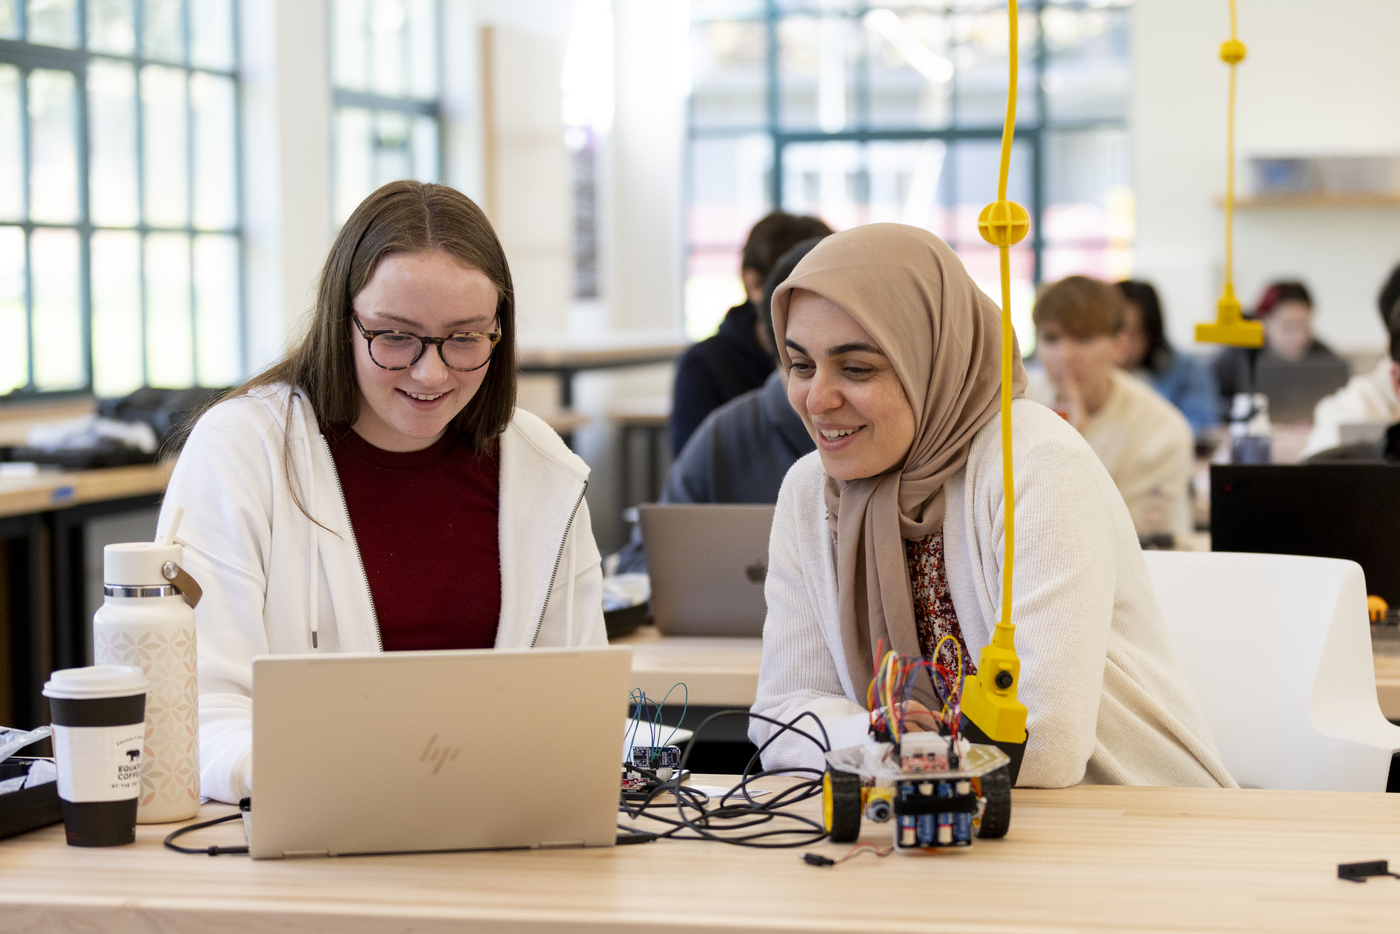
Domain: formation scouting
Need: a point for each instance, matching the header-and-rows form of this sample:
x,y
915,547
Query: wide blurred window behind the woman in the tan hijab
x,y
892,113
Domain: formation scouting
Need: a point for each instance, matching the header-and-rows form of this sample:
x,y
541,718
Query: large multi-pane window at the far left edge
x,y
120,225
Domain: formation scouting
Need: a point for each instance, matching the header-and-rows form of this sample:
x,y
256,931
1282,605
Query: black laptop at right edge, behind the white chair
x,y
1324,510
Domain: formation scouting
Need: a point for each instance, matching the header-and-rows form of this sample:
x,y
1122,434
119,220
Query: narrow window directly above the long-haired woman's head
x,y
386,78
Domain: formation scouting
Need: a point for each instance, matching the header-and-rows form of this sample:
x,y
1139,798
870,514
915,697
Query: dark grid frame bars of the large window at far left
x,y
29,57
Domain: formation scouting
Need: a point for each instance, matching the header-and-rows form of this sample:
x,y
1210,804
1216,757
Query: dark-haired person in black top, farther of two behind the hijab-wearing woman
x,y
740,356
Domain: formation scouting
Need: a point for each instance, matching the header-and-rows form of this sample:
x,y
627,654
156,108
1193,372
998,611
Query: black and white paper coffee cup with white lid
x,y
99,736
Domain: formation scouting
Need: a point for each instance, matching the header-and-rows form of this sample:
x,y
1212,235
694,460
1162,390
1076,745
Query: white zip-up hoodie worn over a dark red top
x,y
276,583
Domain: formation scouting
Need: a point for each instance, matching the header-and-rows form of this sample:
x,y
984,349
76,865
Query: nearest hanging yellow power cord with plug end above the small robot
x,y
989,701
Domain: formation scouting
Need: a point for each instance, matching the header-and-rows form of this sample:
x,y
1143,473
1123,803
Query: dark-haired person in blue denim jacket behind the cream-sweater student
x,y
1144,351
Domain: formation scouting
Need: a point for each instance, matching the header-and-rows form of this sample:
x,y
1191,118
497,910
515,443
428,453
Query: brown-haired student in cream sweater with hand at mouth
x,y
1142,439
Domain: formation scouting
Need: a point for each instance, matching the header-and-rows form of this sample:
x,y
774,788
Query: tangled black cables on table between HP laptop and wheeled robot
x,y
727,823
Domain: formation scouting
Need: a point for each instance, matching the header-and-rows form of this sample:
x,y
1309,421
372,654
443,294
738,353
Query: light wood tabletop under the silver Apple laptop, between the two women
x,y
717,673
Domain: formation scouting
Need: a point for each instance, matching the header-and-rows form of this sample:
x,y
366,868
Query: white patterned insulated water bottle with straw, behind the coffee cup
x,y
148,621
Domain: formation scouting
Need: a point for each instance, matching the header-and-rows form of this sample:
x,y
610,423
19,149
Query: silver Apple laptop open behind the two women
x,y
708,564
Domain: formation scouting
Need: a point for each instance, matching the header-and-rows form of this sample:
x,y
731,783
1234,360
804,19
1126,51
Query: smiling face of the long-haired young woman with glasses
x,y
430,295
